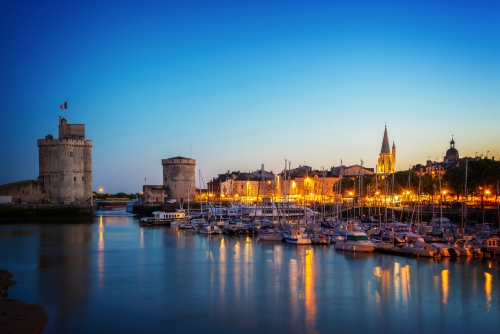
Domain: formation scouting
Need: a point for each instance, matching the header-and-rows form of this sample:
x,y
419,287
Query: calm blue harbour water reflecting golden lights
x,y
116,277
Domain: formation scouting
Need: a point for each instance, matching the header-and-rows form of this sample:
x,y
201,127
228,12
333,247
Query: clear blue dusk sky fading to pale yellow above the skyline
x,y
237,84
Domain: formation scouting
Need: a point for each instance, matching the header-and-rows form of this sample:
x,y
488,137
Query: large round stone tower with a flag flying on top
x,y
65,165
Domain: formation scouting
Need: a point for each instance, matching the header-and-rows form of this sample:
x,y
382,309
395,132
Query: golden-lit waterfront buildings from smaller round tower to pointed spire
x,y
298,184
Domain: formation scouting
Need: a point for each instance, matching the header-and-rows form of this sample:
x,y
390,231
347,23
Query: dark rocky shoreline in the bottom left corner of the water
x,y
16,316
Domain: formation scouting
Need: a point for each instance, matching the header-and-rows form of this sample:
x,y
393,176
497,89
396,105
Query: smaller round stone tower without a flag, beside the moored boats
x,y
179,178
